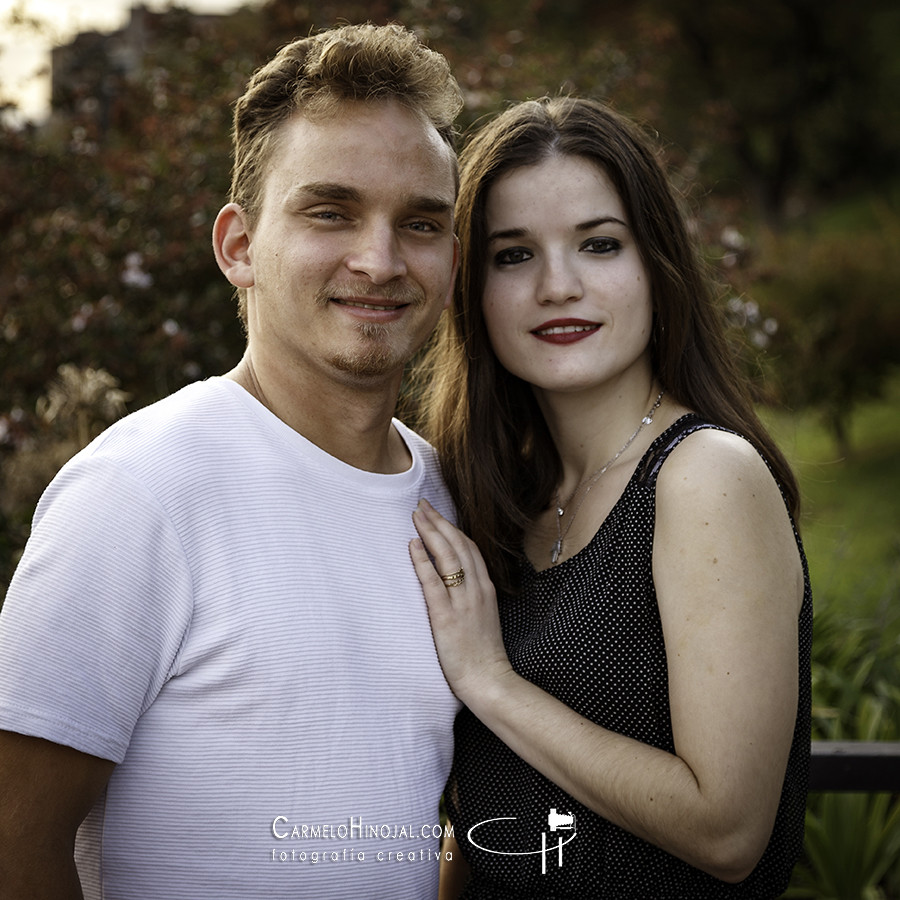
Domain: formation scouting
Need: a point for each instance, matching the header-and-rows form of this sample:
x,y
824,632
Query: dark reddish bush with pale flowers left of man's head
x,y
106,222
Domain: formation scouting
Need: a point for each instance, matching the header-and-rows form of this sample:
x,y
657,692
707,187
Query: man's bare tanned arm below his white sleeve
x,y
46,790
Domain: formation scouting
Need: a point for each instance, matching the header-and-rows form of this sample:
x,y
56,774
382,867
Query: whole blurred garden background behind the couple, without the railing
x,y
779,122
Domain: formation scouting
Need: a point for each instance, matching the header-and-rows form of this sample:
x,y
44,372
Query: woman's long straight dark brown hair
x,y
498,458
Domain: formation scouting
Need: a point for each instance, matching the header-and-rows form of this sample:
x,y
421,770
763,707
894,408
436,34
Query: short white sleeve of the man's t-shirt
x,y
96,612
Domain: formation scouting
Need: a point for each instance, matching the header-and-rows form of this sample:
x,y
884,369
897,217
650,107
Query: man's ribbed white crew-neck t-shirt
x,y
231,615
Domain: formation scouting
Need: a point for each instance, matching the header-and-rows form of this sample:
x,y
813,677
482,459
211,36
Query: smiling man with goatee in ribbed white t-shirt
x,y
218,676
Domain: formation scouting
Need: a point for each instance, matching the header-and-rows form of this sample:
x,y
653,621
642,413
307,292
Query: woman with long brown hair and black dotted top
x,y
643,667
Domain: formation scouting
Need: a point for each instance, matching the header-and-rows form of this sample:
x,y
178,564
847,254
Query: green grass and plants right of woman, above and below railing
x,y
851,530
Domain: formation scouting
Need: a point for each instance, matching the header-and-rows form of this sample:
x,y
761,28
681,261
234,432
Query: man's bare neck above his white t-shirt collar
x,y
349,422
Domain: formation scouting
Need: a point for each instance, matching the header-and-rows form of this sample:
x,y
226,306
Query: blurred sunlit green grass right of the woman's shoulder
x,y
851,515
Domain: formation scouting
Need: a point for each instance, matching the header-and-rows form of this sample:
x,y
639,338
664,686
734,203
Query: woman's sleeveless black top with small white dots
x,y
588,631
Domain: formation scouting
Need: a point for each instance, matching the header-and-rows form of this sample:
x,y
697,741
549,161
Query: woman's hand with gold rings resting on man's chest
x,y
464,618
